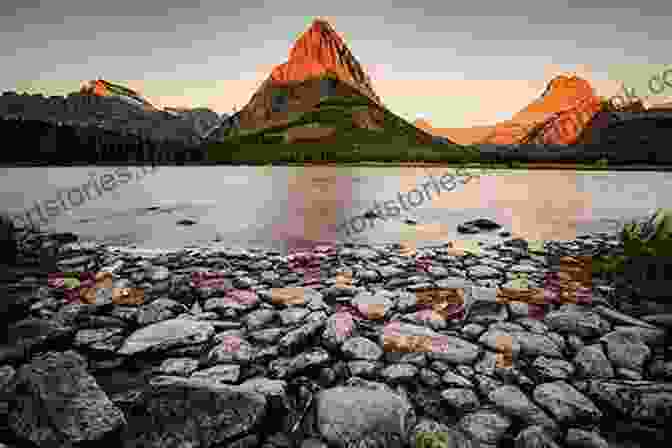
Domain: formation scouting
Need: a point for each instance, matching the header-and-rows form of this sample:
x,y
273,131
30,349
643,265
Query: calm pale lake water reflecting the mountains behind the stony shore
x,y
296,207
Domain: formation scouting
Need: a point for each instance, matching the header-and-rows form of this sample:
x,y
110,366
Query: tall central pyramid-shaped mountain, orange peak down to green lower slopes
x,y
321,94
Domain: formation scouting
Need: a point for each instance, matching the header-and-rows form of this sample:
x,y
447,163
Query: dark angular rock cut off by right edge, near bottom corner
x,y
644,401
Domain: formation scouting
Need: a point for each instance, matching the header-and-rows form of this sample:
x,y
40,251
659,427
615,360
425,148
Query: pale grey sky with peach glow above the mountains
x,y
456,64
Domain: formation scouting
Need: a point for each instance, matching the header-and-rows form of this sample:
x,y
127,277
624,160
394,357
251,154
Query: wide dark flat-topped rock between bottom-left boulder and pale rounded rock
x,y
194,413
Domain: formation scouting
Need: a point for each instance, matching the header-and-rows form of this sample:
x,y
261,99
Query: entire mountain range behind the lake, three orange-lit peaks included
x,y
322,94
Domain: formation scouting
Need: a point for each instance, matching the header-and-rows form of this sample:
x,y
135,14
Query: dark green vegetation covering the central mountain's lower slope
x,y
395,141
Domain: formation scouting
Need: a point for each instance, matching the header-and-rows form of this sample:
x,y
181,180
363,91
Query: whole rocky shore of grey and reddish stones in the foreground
x,y
348,346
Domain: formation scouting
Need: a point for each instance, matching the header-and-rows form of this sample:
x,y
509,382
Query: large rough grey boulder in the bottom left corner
x,y
58,403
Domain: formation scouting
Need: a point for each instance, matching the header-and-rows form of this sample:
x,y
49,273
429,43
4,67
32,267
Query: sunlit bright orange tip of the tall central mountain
x,y
321,52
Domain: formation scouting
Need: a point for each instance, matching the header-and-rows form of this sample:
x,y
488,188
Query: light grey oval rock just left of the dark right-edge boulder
x,y
565,403
